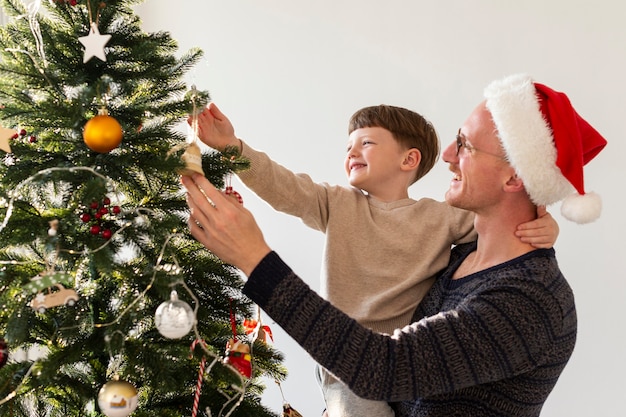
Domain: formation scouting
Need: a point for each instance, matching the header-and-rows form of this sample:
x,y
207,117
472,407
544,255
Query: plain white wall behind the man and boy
x,y
290,73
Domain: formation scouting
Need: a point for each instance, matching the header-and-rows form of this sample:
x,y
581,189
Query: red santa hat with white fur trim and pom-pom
x,y
547,143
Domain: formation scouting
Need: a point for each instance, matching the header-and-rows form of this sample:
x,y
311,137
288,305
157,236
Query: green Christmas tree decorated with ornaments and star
x,y
97,269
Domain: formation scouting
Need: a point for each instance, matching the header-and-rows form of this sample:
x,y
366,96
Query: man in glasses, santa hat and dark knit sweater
x,y
495,331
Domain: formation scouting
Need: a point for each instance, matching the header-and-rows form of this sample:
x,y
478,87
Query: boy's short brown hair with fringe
x,y
409,128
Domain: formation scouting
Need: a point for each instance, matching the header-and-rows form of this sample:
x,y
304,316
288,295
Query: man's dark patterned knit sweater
x,y
490,344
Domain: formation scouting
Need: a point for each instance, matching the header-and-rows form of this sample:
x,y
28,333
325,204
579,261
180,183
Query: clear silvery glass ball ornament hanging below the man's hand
x,y
174,318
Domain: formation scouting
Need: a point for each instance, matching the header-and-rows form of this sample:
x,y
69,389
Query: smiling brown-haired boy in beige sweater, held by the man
x,y
374,231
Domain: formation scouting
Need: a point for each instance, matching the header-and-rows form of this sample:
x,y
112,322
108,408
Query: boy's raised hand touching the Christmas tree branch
x,y
214,129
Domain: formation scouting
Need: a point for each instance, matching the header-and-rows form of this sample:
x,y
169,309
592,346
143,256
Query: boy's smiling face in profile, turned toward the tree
x,y
373,161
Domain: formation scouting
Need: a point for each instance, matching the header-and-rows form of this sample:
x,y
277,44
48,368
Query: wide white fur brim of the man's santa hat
x,y
527,138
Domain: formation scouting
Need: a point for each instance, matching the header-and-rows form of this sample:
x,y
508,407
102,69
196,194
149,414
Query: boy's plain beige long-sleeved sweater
x,y
379,258
